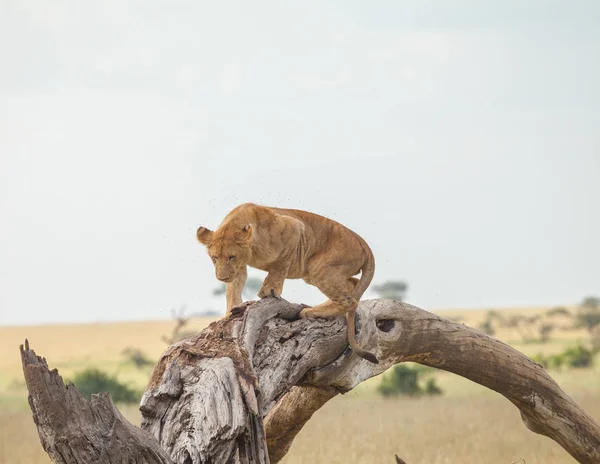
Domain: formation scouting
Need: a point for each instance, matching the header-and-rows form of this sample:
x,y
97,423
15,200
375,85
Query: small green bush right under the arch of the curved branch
x,y
404,380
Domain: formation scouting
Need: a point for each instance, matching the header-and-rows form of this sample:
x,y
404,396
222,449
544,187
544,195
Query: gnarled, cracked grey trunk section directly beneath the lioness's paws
x,y
209,393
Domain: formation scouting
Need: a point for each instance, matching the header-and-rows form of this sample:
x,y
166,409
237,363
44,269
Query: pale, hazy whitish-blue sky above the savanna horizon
x,y
460,139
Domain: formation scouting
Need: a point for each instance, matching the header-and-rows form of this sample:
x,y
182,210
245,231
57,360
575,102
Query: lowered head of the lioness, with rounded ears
x,y
229,249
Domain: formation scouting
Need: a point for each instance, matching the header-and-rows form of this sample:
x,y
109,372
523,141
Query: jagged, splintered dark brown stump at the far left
x,y
74,430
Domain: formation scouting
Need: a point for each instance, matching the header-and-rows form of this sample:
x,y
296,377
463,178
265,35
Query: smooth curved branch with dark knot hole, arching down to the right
x,y
402,332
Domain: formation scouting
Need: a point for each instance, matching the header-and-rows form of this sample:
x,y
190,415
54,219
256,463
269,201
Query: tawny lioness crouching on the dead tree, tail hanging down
x,y
292,244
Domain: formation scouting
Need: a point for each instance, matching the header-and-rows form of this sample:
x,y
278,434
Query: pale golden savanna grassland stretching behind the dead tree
x,y
467,424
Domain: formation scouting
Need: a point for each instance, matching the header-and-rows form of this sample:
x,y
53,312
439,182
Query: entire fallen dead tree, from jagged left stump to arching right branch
x,y
240,391
